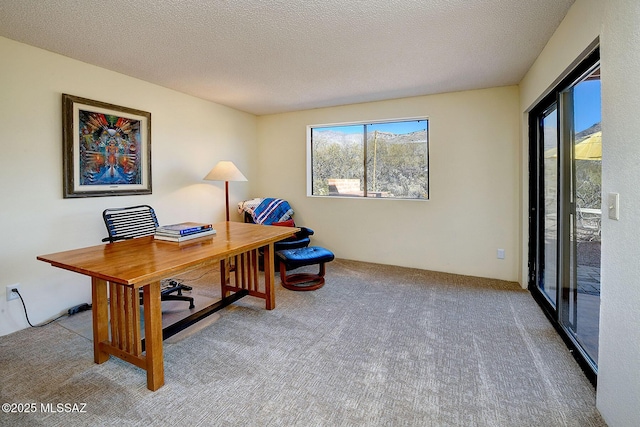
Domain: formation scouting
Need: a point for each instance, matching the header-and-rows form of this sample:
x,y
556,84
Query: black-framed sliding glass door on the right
x,y
565,208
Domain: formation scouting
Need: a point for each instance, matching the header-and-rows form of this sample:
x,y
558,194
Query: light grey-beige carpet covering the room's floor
x,y
376,346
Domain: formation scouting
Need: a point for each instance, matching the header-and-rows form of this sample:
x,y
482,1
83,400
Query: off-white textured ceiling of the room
x,y
275,56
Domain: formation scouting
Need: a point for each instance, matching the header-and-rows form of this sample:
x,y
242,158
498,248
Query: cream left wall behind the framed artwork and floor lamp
x,y
188,137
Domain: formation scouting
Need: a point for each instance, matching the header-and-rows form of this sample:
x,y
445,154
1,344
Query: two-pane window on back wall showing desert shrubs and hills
x,y
387,159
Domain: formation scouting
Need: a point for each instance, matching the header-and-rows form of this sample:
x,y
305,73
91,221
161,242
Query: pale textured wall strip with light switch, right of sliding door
x,y
619,360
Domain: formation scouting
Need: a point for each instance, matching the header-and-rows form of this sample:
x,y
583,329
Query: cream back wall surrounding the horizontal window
x,y
472,211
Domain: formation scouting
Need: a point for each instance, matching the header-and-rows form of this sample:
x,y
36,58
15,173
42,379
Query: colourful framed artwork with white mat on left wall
x,y
107,149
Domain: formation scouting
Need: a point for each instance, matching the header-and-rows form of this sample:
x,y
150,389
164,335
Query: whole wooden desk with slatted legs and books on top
x,y
128,265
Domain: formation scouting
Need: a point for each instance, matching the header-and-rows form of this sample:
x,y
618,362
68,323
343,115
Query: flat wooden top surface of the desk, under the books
x,y
144,260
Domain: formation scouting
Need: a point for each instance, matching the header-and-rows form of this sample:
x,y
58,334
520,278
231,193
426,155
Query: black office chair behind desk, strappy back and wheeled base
x,y
139,221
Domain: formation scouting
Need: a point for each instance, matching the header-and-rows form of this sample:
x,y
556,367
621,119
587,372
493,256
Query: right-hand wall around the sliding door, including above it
x,y
615,22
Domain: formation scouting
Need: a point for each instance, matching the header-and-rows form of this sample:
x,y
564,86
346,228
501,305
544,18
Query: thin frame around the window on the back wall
x,y
309,161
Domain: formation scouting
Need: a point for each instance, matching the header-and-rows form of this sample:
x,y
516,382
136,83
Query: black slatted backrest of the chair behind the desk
x,y
129,222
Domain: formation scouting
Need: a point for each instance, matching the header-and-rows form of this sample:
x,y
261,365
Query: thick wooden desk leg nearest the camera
x,y
153,335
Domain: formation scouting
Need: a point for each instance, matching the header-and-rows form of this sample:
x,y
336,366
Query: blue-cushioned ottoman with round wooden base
x,y
290,259
